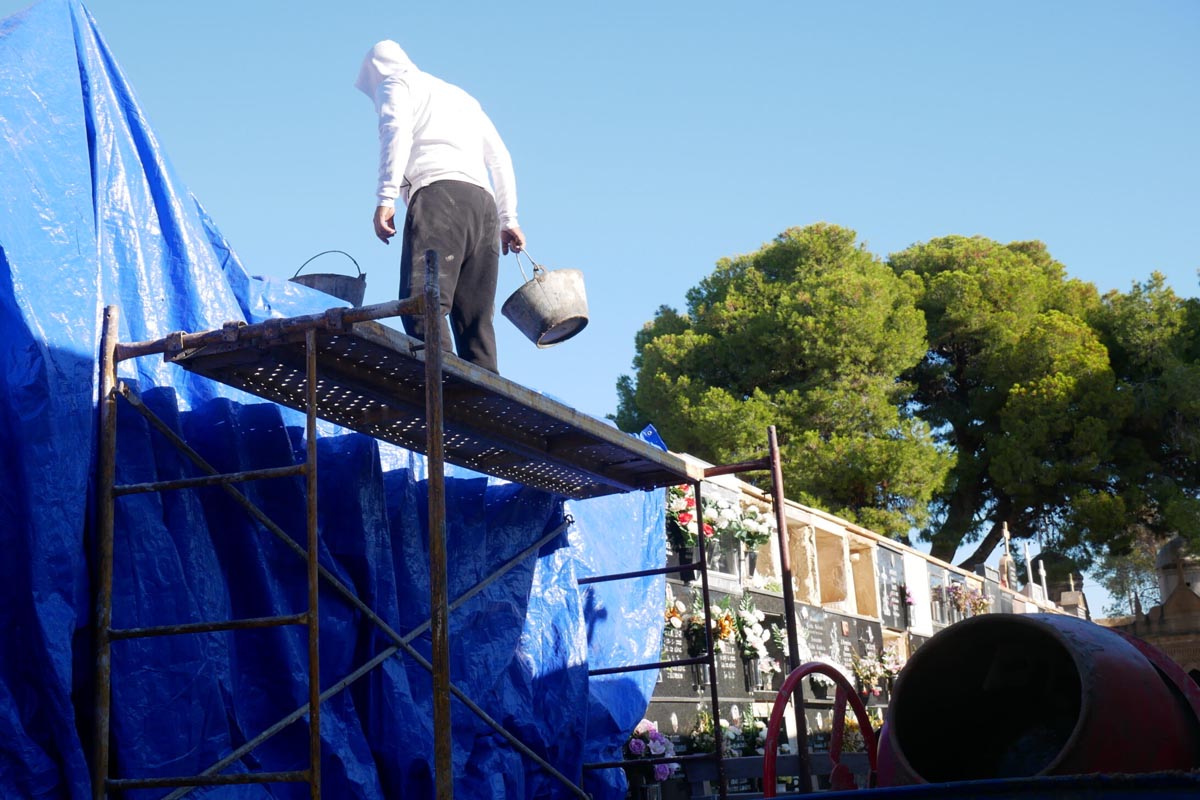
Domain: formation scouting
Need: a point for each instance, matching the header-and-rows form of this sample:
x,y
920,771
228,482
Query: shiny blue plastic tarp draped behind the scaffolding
x,y
92,215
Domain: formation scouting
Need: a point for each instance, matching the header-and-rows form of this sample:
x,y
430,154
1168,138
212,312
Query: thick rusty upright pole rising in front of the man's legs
x,y
440,600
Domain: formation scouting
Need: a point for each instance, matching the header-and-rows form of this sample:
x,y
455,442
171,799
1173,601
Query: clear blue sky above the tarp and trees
x,y
653,139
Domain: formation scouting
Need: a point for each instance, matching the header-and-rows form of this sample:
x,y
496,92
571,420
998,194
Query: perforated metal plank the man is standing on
x,y
371,380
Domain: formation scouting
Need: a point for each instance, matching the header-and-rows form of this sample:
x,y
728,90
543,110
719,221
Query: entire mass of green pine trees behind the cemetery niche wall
x,y
969,386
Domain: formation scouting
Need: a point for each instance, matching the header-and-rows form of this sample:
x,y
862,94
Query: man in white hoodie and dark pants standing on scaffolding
x,y
437,151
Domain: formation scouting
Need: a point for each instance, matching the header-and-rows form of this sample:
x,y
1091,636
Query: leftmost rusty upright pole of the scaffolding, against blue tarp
x,y
105,527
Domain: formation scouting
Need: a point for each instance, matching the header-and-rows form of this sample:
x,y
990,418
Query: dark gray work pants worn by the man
x,y
459,221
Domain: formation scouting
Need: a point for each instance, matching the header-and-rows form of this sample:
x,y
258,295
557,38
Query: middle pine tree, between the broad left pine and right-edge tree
x,y
1015,381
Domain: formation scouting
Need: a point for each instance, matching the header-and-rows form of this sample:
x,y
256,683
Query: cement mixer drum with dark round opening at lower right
x,y
1006,696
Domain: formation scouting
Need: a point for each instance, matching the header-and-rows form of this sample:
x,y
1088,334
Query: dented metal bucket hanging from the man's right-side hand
x,y
550,309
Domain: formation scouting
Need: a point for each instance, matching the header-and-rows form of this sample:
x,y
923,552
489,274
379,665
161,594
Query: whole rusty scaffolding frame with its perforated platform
x,y
345,368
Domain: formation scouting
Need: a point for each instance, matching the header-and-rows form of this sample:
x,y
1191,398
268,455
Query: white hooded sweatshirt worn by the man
x,y
430,131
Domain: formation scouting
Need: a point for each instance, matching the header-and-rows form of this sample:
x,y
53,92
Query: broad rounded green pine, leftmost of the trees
x,y
809,334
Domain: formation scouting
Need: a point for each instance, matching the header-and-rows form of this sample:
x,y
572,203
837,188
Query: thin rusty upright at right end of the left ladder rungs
x,y
310,340
